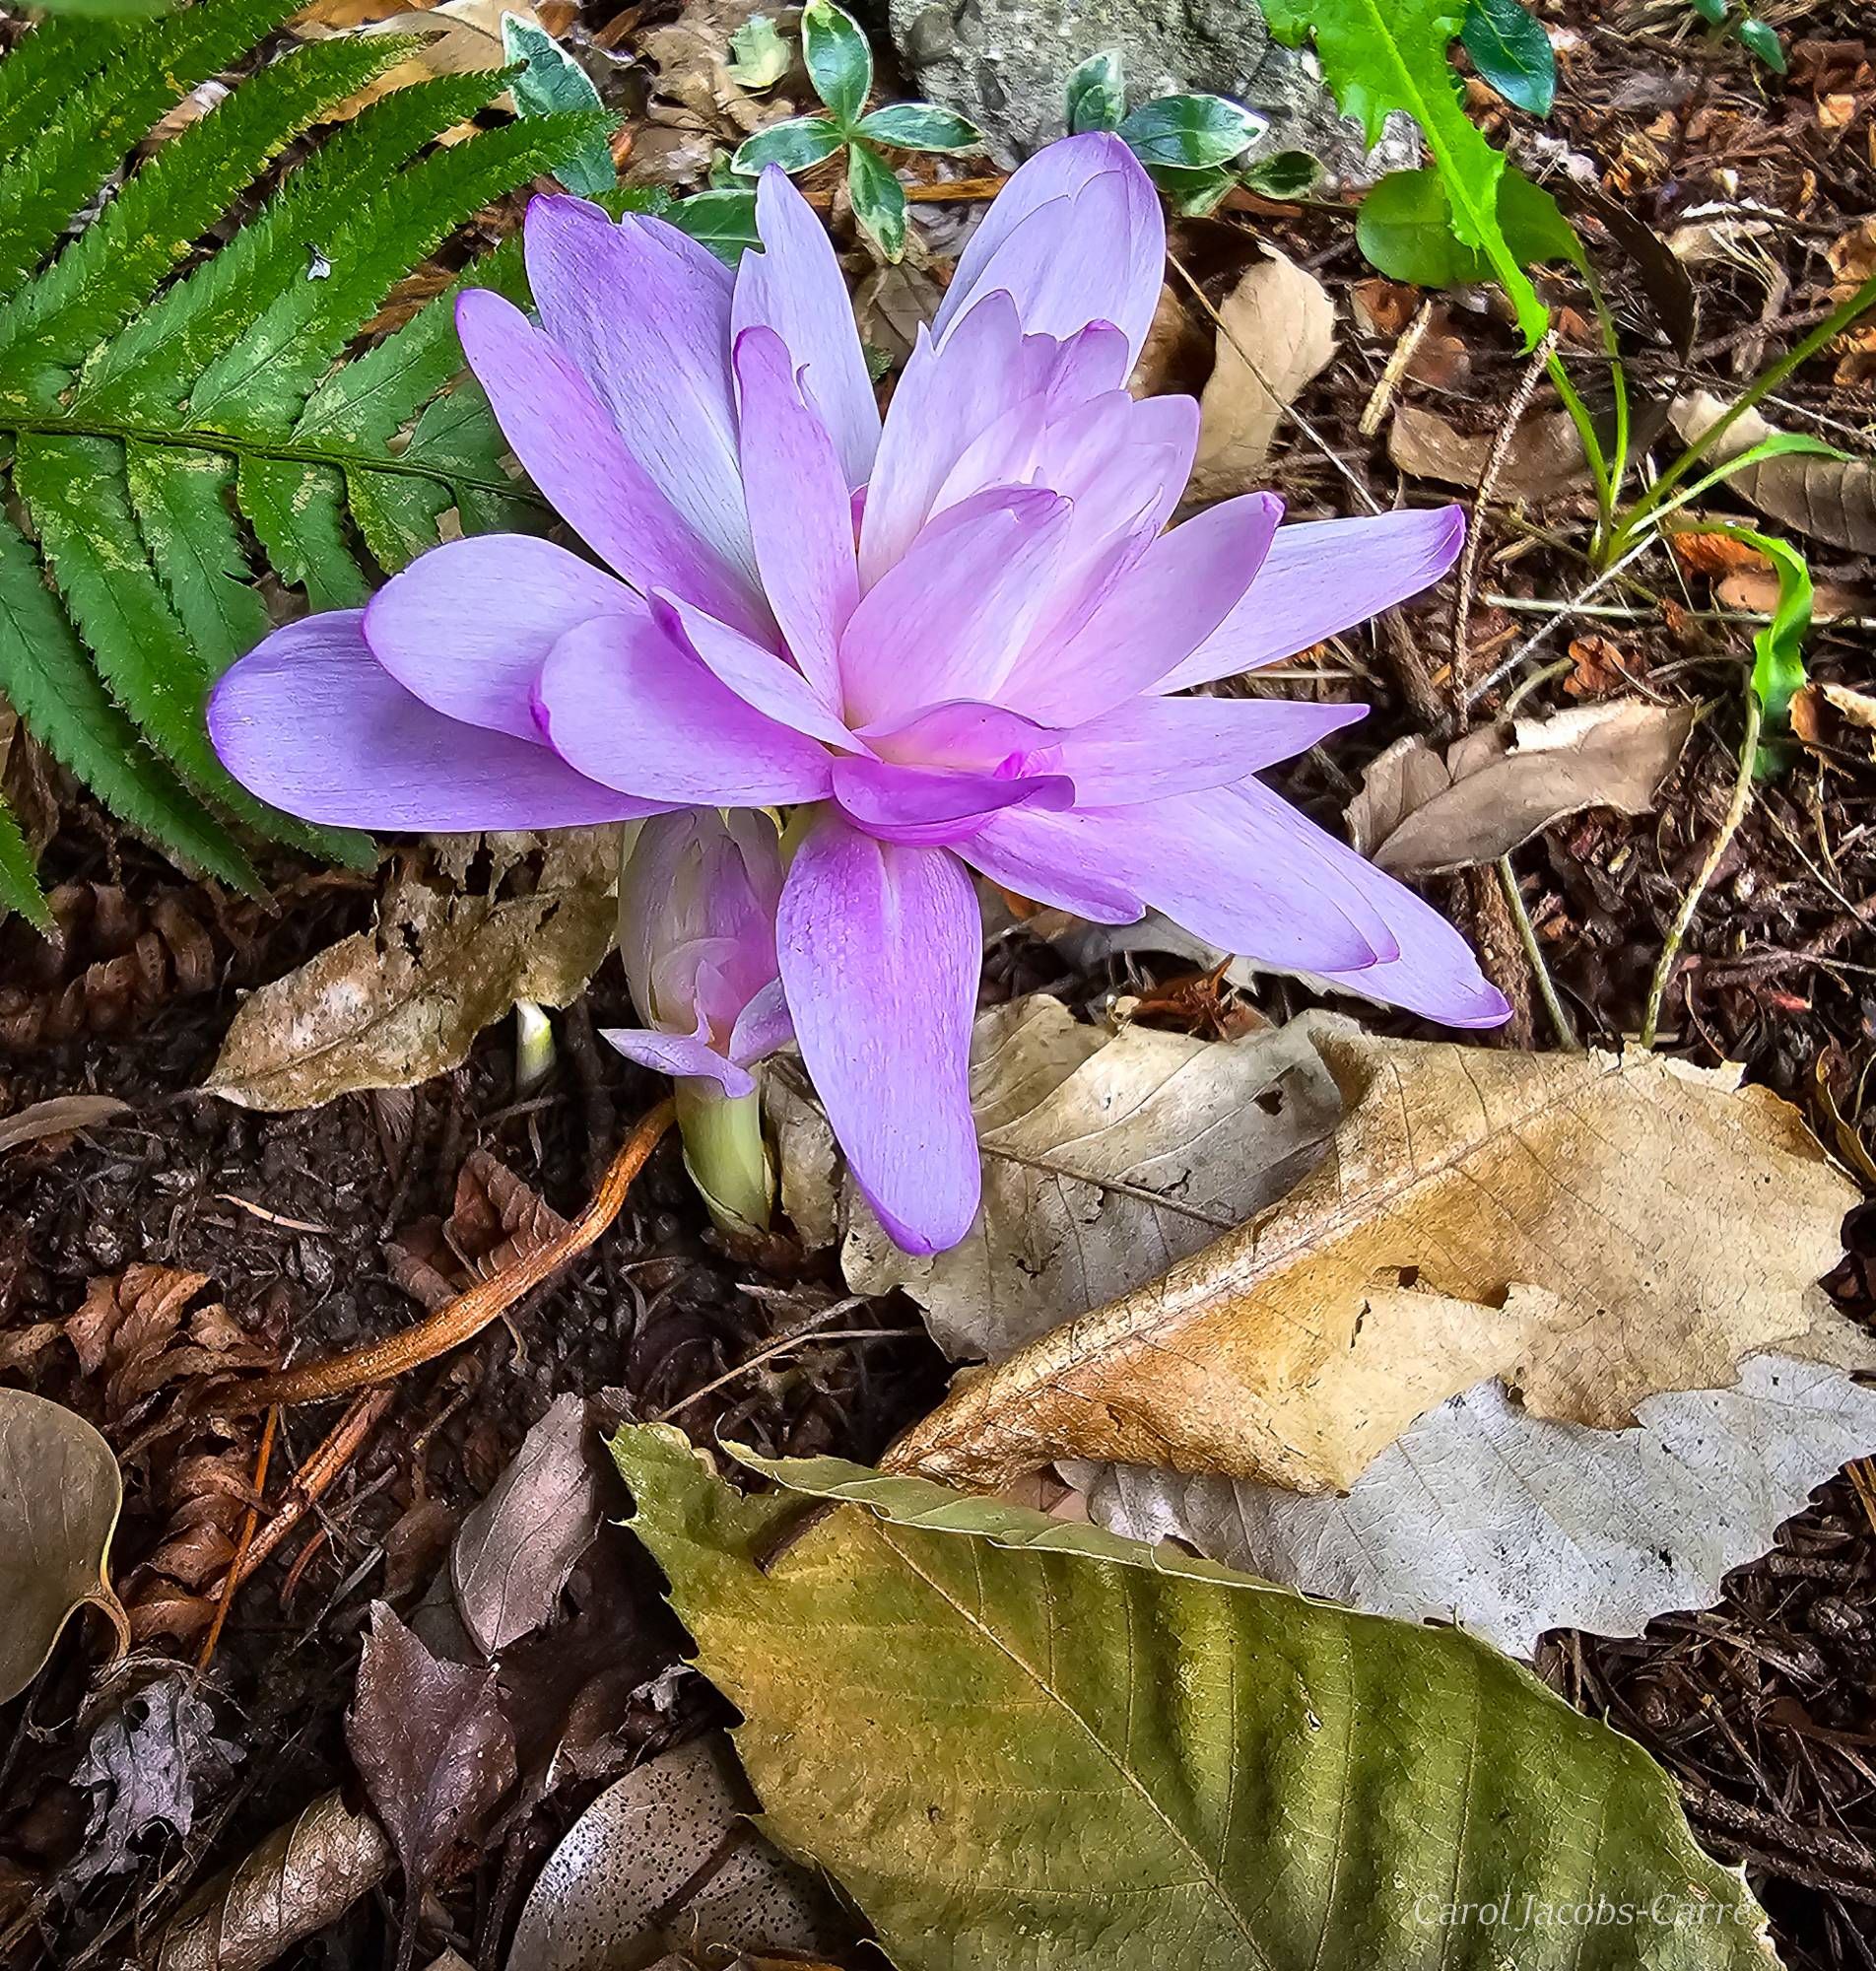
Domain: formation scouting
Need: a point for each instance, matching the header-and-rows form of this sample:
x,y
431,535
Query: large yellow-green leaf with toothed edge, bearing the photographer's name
x,y
1034,1745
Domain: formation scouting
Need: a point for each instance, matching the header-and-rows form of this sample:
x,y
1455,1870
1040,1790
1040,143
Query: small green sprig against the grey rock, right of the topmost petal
x,y
1187,143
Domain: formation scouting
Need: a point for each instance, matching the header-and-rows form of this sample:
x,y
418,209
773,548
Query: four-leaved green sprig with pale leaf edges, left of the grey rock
x,y
840,66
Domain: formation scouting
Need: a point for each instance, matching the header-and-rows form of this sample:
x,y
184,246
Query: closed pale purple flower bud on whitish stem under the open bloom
x,y
699,896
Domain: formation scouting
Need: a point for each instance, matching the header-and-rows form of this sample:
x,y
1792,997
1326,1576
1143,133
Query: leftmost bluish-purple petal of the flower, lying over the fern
x,y
312,722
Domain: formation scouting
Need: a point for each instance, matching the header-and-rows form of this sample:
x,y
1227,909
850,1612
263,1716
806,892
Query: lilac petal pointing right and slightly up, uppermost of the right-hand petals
x,y
1323,578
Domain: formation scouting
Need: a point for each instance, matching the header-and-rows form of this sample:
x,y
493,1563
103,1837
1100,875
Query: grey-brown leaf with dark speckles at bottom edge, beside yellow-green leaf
x,y
608,1899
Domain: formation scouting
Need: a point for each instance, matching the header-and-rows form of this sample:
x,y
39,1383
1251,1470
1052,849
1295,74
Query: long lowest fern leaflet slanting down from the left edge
x,y
50,683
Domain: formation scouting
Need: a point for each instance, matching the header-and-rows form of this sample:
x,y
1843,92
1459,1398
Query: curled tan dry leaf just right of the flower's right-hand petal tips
x,y
1507,783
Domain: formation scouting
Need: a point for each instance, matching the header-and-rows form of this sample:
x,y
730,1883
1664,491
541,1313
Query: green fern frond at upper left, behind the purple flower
x,y
176,437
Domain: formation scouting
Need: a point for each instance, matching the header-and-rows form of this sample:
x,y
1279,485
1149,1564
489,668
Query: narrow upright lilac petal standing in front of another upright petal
x,y
801,510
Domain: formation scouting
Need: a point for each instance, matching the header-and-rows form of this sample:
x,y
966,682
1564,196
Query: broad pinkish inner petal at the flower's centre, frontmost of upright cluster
x,y
949,620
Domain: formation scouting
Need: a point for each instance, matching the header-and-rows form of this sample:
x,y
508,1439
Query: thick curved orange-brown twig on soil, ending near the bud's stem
x,y
464,1318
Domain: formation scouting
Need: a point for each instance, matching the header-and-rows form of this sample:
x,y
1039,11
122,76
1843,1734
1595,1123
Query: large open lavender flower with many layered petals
x,y
961,636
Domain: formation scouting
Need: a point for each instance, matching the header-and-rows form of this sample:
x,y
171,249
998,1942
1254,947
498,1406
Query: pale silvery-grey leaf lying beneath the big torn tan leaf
x,y
1507,1525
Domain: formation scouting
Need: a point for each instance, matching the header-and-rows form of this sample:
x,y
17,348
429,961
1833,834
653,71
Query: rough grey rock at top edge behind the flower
x,y
1006,64
